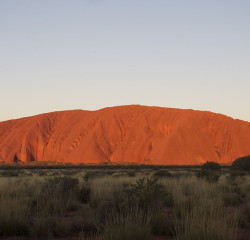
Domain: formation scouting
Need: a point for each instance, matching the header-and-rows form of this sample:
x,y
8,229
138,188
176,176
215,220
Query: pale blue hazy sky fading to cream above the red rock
x,y
90,54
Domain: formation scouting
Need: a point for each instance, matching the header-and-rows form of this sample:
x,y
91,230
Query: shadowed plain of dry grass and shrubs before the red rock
x,y
123,204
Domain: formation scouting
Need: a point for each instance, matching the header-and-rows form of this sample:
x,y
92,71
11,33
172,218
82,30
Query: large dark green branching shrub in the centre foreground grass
x,y
146,196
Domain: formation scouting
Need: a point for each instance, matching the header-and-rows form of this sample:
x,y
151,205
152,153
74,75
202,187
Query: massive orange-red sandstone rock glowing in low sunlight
x,y
126,134
